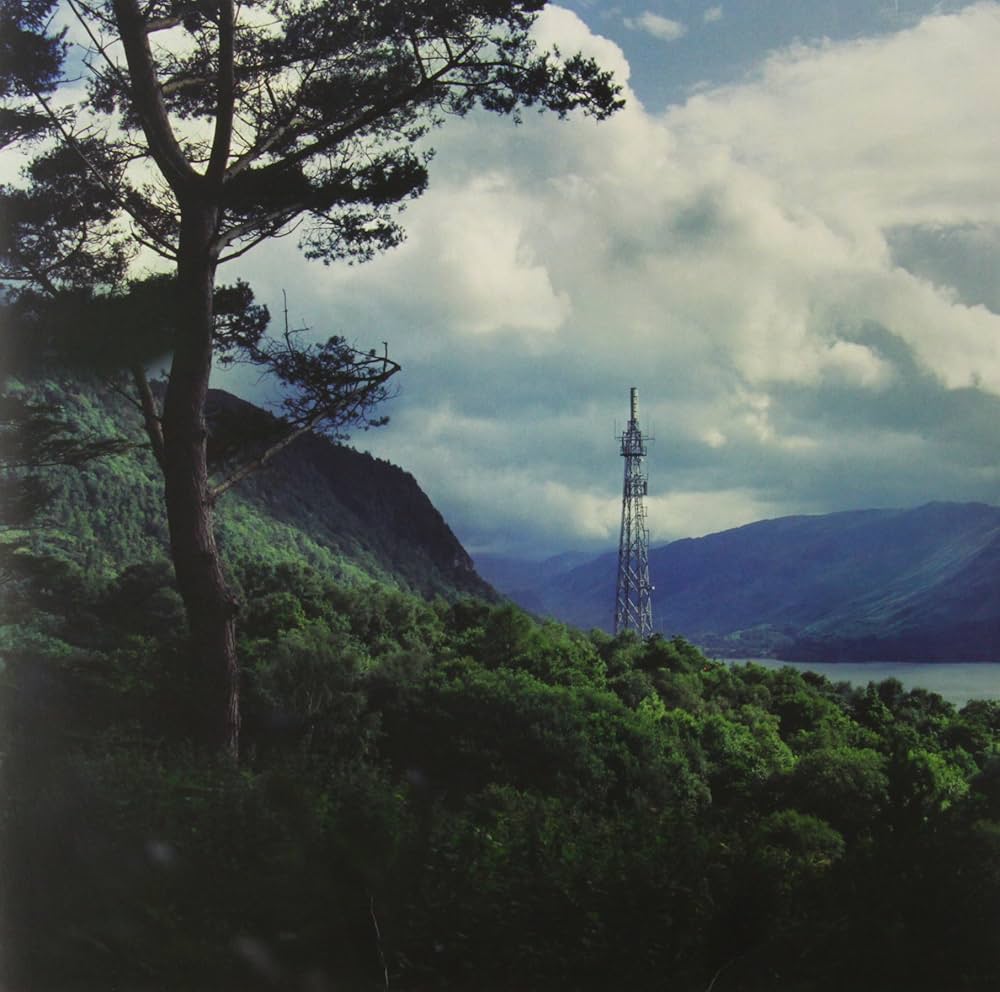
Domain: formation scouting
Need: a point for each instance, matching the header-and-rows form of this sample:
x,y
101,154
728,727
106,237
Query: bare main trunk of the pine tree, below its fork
x,y
210,605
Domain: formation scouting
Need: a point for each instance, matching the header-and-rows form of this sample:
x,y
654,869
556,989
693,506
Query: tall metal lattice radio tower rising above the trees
x,y
633,601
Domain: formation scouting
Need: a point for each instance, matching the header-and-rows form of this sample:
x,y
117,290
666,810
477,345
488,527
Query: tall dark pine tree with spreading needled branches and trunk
x,y
211,127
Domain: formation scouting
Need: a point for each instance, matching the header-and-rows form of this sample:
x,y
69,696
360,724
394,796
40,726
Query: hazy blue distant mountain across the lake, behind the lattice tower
x,y
919,584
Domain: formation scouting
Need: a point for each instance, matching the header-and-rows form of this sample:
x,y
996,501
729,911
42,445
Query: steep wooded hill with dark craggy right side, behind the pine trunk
x,y
340,510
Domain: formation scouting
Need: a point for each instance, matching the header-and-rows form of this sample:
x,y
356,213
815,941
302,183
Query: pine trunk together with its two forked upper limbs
x,y
209,603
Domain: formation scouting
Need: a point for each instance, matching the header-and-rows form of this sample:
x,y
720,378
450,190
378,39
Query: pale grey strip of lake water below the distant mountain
x,y
958,682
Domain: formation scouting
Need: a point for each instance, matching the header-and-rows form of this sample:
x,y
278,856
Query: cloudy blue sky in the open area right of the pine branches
x,y
788,241
